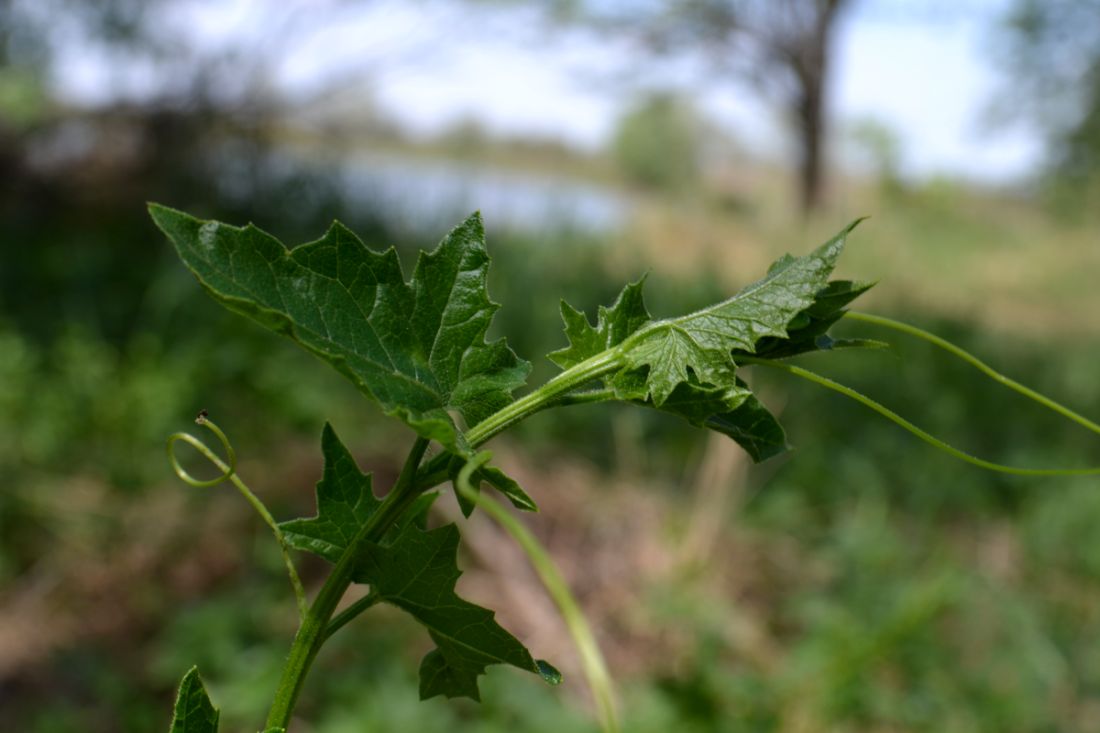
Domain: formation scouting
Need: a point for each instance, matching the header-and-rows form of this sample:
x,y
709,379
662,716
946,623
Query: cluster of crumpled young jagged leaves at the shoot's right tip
x,y
688,366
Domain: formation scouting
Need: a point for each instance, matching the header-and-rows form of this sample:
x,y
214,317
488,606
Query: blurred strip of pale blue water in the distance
x,y
428,196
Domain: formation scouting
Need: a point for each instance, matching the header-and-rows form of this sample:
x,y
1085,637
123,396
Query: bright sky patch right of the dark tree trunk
x,y
934,83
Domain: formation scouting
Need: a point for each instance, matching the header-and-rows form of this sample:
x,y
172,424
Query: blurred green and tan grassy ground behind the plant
x,y
863,584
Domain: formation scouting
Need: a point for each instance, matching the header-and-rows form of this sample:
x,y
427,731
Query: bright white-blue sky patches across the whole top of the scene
x,y
921,68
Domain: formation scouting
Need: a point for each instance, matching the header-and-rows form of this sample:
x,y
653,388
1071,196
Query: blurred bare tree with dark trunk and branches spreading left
x,y
782,47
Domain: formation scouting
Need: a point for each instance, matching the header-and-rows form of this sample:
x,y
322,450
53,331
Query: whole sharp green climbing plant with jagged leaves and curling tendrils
x,y
419,349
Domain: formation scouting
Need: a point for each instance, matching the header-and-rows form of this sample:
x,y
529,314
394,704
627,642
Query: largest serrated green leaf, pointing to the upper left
x,y
417,347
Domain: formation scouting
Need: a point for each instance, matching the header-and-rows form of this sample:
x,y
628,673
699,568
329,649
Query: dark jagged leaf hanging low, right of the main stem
x,y
417,574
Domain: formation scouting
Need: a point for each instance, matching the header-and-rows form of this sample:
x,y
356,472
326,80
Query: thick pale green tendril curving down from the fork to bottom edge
x,y
592,660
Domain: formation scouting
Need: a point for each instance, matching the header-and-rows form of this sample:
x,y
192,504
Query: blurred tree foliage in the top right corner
x,y
1052,51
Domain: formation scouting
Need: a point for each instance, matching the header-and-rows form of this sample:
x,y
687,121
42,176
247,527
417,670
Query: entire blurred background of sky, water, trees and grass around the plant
x,y
861,584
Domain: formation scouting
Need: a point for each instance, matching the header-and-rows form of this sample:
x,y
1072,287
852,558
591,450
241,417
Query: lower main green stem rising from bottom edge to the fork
x,y
313,631
